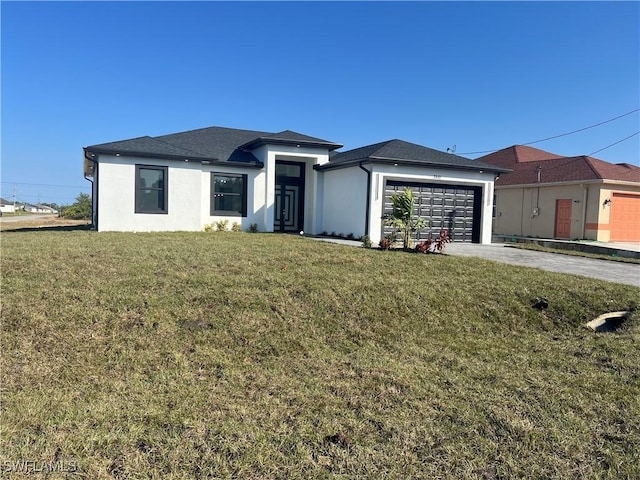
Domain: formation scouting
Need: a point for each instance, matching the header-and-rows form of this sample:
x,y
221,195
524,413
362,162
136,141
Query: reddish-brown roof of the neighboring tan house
x,y
528,162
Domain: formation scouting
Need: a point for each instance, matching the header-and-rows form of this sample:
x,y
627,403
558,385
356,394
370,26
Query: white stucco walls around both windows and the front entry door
x,y
189,192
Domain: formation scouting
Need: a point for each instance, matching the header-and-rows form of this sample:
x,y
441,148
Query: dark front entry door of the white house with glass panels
x,y
289,201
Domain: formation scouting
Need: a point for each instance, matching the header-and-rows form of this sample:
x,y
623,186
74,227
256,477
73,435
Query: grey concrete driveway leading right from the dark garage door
x,y
617,272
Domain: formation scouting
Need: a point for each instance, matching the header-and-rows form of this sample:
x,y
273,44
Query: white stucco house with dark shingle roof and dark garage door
x,y
282,182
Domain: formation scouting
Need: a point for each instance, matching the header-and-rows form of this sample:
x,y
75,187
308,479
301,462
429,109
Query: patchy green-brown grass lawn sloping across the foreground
x,y
231,355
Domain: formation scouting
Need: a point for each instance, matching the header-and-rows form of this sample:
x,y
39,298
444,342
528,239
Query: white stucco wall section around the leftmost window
x,y
116,196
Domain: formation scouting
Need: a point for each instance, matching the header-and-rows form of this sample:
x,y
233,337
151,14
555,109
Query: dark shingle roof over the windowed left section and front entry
x,y
215,144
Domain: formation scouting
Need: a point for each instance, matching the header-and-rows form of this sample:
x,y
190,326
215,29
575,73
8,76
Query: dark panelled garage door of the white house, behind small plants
x,y
454,207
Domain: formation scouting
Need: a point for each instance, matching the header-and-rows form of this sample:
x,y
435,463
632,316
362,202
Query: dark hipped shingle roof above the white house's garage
x,y
401,152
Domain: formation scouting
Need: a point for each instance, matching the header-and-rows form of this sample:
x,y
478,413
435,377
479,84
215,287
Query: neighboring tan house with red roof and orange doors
x,y
551,196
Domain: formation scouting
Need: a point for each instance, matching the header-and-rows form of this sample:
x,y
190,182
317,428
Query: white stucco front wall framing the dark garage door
x,y
434,175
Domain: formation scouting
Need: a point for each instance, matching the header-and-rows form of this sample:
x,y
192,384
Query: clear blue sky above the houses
x,y
477,75
